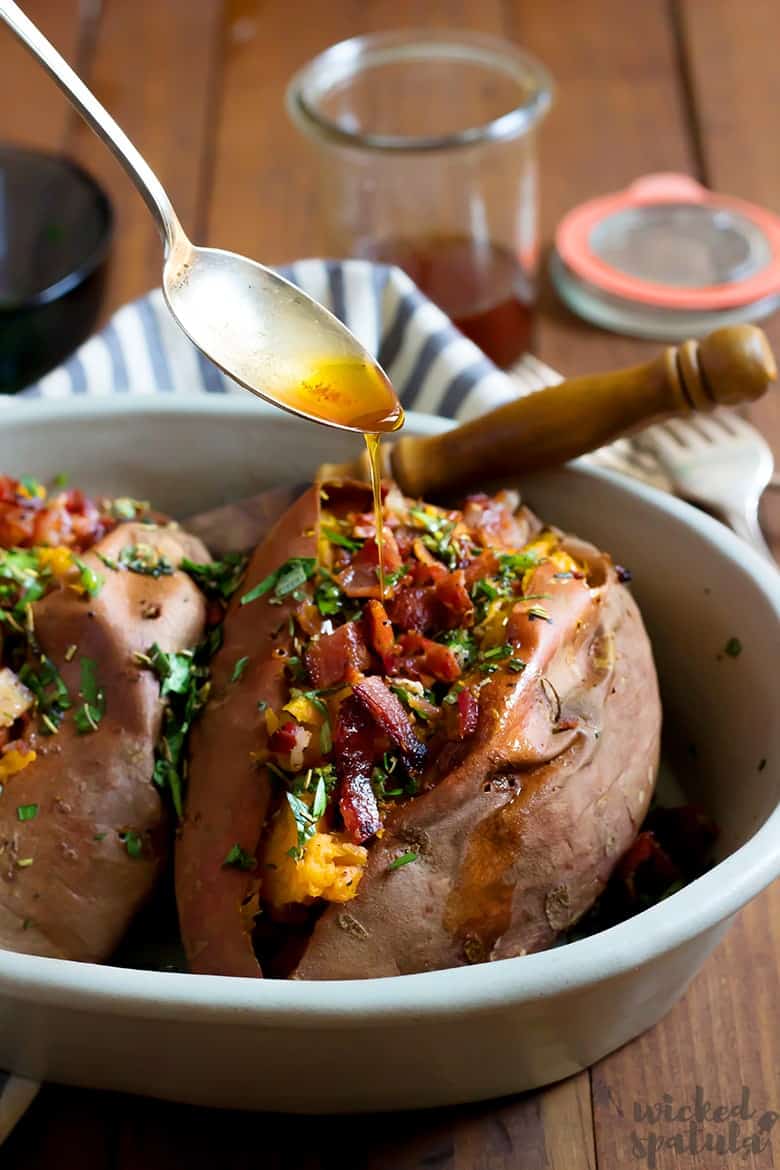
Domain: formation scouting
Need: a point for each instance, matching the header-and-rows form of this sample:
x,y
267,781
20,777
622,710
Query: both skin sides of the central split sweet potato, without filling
x,y
516,834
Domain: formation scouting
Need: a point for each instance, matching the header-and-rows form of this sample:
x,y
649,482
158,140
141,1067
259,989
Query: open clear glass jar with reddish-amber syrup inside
x,y
429,161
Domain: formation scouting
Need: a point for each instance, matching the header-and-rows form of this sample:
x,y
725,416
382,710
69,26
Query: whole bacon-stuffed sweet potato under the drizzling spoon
x,y
445,776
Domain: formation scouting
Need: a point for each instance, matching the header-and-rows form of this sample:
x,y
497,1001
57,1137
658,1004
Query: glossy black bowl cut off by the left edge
x,y
56,235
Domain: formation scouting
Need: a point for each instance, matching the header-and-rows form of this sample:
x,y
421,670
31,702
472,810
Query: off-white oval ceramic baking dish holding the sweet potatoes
x,y
448,1036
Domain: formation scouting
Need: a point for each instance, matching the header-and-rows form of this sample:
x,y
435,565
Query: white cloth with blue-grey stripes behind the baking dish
x,y
434,369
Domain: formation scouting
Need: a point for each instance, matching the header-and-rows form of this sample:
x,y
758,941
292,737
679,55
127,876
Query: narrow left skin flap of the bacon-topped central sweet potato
x,y
229,796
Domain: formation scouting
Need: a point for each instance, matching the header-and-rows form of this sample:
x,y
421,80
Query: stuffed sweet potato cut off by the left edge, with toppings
x,y
84,830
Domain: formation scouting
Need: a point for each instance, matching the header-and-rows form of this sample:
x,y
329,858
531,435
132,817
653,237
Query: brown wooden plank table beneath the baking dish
x,y
644,86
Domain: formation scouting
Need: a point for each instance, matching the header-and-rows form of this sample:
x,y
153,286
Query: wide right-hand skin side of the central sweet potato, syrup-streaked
x,y
522,836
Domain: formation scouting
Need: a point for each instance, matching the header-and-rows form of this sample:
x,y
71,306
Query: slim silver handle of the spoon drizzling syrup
x,y
99,119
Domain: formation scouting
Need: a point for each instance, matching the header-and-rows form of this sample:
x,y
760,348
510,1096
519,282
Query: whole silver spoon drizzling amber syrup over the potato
x,y
259,328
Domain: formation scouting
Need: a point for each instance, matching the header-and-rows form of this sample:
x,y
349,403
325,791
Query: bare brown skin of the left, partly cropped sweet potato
x,y
82,889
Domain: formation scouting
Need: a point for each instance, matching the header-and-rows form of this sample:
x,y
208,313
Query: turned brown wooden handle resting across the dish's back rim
x,y
731,366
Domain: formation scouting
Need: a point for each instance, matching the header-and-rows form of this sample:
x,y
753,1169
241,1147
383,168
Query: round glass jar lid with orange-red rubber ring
x,y
667,258
